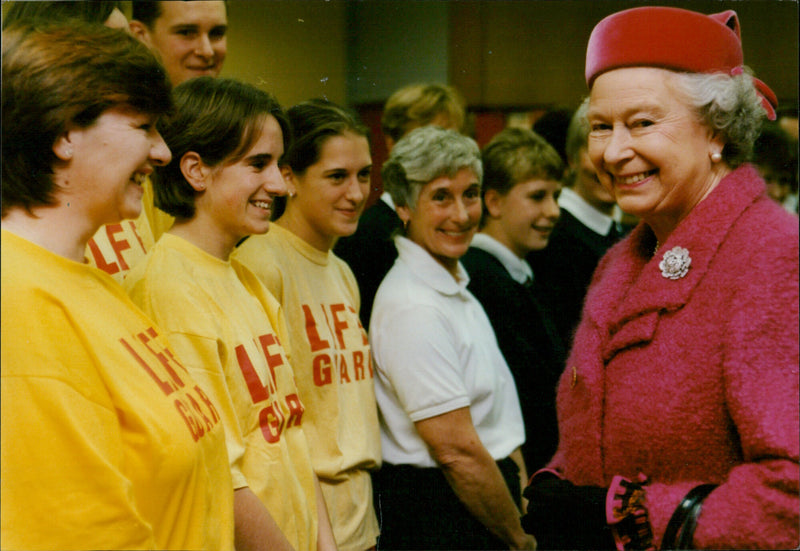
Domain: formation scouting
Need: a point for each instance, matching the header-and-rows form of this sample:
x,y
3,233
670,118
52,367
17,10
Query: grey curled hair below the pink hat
x,y
728,105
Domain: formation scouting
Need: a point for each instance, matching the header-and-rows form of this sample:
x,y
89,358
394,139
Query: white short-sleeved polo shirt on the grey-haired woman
x,y
435,352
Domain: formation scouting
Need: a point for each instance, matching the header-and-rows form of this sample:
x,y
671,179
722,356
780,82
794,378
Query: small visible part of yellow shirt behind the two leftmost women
x,y
116,248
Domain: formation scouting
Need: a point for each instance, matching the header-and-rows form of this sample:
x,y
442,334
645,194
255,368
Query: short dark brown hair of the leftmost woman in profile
x,y
60,74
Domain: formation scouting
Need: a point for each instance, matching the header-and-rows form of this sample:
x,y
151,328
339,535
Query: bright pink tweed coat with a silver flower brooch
x,y
695,379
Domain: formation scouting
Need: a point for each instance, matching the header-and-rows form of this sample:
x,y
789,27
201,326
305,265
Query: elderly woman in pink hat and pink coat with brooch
x,y
678,407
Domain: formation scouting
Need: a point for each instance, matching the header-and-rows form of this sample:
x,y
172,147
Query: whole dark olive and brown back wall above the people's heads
x,y
512,59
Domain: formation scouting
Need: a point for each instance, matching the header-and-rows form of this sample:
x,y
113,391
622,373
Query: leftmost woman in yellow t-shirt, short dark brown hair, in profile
x,y
101,445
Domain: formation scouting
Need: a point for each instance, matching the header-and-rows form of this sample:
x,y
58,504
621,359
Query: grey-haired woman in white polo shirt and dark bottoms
x,y
451,425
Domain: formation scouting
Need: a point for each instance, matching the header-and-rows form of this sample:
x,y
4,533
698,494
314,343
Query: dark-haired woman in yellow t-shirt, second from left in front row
x,y
227,138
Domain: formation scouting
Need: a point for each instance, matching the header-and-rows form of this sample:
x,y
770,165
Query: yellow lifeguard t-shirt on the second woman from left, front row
x,y
229,331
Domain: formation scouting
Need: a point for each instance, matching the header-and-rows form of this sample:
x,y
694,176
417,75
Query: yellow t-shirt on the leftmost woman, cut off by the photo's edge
x,y
107,441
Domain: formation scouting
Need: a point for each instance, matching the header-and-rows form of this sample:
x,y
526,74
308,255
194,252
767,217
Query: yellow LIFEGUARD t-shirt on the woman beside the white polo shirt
x,y
333,369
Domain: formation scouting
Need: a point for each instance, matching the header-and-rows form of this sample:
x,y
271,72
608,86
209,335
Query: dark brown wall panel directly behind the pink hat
x,y
509,54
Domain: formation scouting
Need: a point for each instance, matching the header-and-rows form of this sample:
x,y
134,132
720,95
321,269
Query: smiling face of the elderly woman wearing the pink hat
x,y
650,149
